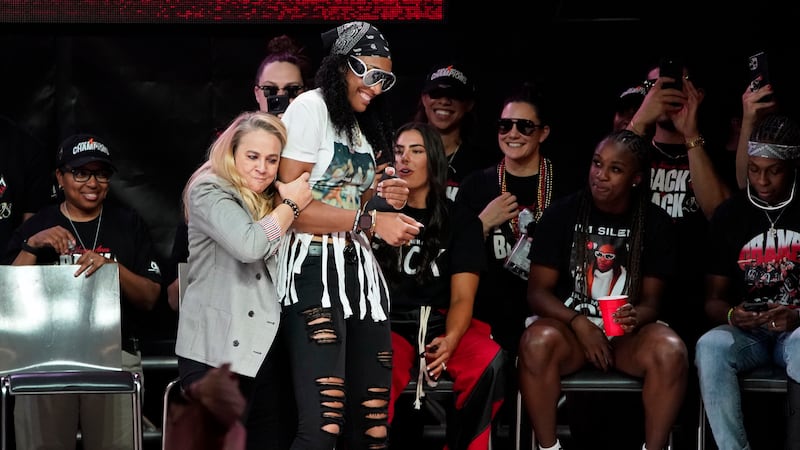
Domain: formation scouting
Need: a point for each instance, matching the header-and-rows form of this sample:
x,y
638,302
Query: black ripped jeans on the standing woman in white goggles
x,y
337,362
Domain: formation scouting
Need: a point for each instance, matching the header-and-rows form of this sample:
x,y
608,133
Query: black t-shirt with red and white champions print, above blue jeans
x,y
762,265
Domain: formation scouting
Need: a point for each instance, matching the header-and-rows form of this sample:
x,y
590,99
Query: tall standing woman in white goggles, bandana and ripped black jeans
x,y
335,300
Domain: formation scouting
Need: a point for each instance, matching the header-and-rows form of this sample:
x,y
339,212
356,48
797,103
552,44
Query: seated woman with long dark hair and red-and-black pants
x,y
433,282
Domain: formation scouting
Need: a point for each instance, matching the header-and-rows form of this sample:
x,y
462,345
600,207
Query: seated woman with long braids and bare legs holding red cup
x,y
566,332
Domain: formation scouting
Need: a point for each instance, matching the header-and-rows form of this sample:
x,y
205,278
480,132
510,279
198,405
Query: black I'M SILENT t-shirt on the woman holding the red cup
x,y
607,254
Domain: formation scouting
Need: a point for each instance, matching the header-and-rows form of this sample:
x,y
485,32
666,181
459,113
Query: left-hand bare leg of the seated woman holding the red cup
x,y
548,350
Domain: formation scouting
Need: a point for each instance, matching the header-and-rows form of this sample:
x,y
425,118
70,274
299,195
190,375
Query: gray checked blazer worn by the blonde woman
x,y
230,310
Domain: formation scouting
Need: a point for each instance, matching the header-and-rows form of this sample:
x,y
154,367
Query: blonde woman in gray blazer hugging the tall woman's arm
x,y
237,214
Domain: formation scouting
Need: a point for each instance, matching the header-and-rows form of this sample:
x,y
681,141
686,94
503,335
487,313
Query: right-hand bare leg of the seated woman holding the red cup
x,y
657,354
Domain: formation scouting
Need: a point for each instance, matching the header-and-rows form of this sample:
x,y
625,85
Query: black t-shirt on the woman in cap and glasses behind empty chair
x,y
121,235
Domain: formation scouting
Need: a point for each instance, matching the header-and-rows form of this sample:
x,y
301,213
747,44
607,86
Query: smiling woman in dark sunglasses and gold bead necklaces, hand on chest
x,y
509,198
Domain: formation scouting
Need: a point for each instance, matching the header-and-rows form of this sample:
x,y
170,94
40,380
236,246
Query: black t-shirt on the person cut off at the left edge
x,y
26,177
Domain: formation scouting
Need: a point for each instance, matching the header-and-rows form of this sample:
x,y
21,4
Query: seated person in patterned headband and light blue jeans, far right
x,y
753,263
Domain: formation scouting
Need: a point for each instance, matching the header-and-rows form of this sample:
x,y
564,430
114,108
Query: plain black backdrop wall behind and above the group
x,y
159,92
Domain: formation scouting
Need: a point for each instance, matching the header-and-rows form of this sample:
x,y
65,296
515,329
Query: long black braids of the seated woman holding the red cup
x,y
640,199
